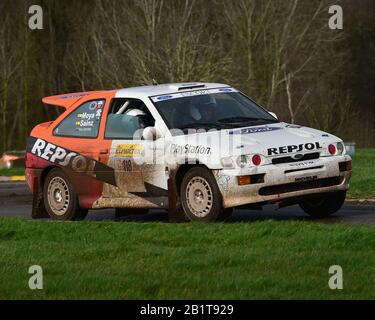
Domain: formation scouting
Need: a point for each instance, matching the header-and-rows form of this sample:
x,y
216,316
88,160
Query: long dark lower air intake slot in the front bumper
x,y
298,186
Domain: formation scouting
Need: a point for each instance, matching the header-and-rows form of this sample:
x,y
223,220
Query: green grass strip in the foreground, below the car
x,y
114,260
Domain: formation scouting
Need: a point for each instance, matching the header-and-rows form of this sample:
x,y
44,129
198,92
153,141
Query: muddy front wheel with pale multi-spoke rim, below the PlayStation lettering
x,y
200,196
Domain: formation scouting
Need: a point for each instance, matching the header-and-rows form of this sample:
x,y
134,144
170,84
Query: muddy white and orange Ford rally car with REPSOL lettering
x,y
197,149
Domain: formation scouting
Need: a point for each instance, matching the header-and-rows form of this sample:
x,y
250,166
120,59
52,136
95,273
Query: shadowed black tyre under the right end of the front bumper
x,y
323,206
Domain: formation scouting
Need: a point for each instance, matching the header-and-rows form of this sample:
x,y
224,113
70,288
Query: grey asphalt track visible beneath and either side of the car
x,y
15,201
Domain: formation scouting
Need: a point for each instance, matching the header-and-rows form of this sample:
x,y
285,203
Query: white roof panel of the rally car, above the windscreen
x,y
160,89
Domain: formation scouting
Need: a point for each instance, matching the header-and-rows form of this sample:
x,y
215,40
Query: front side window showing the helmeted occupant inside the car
x,y
127,118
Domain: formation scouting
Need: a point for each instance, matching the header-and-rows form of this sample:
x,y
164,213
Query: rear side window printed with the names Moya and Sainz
x,y
83,122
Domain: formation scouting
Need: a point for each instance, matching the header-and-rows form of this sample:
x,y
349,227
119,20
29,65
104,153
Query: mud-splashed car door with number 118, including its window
x,y
140,178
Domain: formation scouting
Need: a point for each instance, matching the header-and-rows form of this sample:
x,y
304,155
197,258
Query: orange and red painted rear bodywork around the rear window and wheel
x,y
87,187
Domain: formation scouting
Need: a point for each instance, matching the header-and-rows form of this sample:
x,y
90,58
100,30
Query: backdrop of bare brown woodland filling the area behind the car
x,y
280,52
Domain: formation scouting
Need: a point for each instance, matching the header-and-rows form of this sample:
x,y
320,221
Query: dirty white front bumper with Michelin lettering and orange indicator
x,y
284,181
